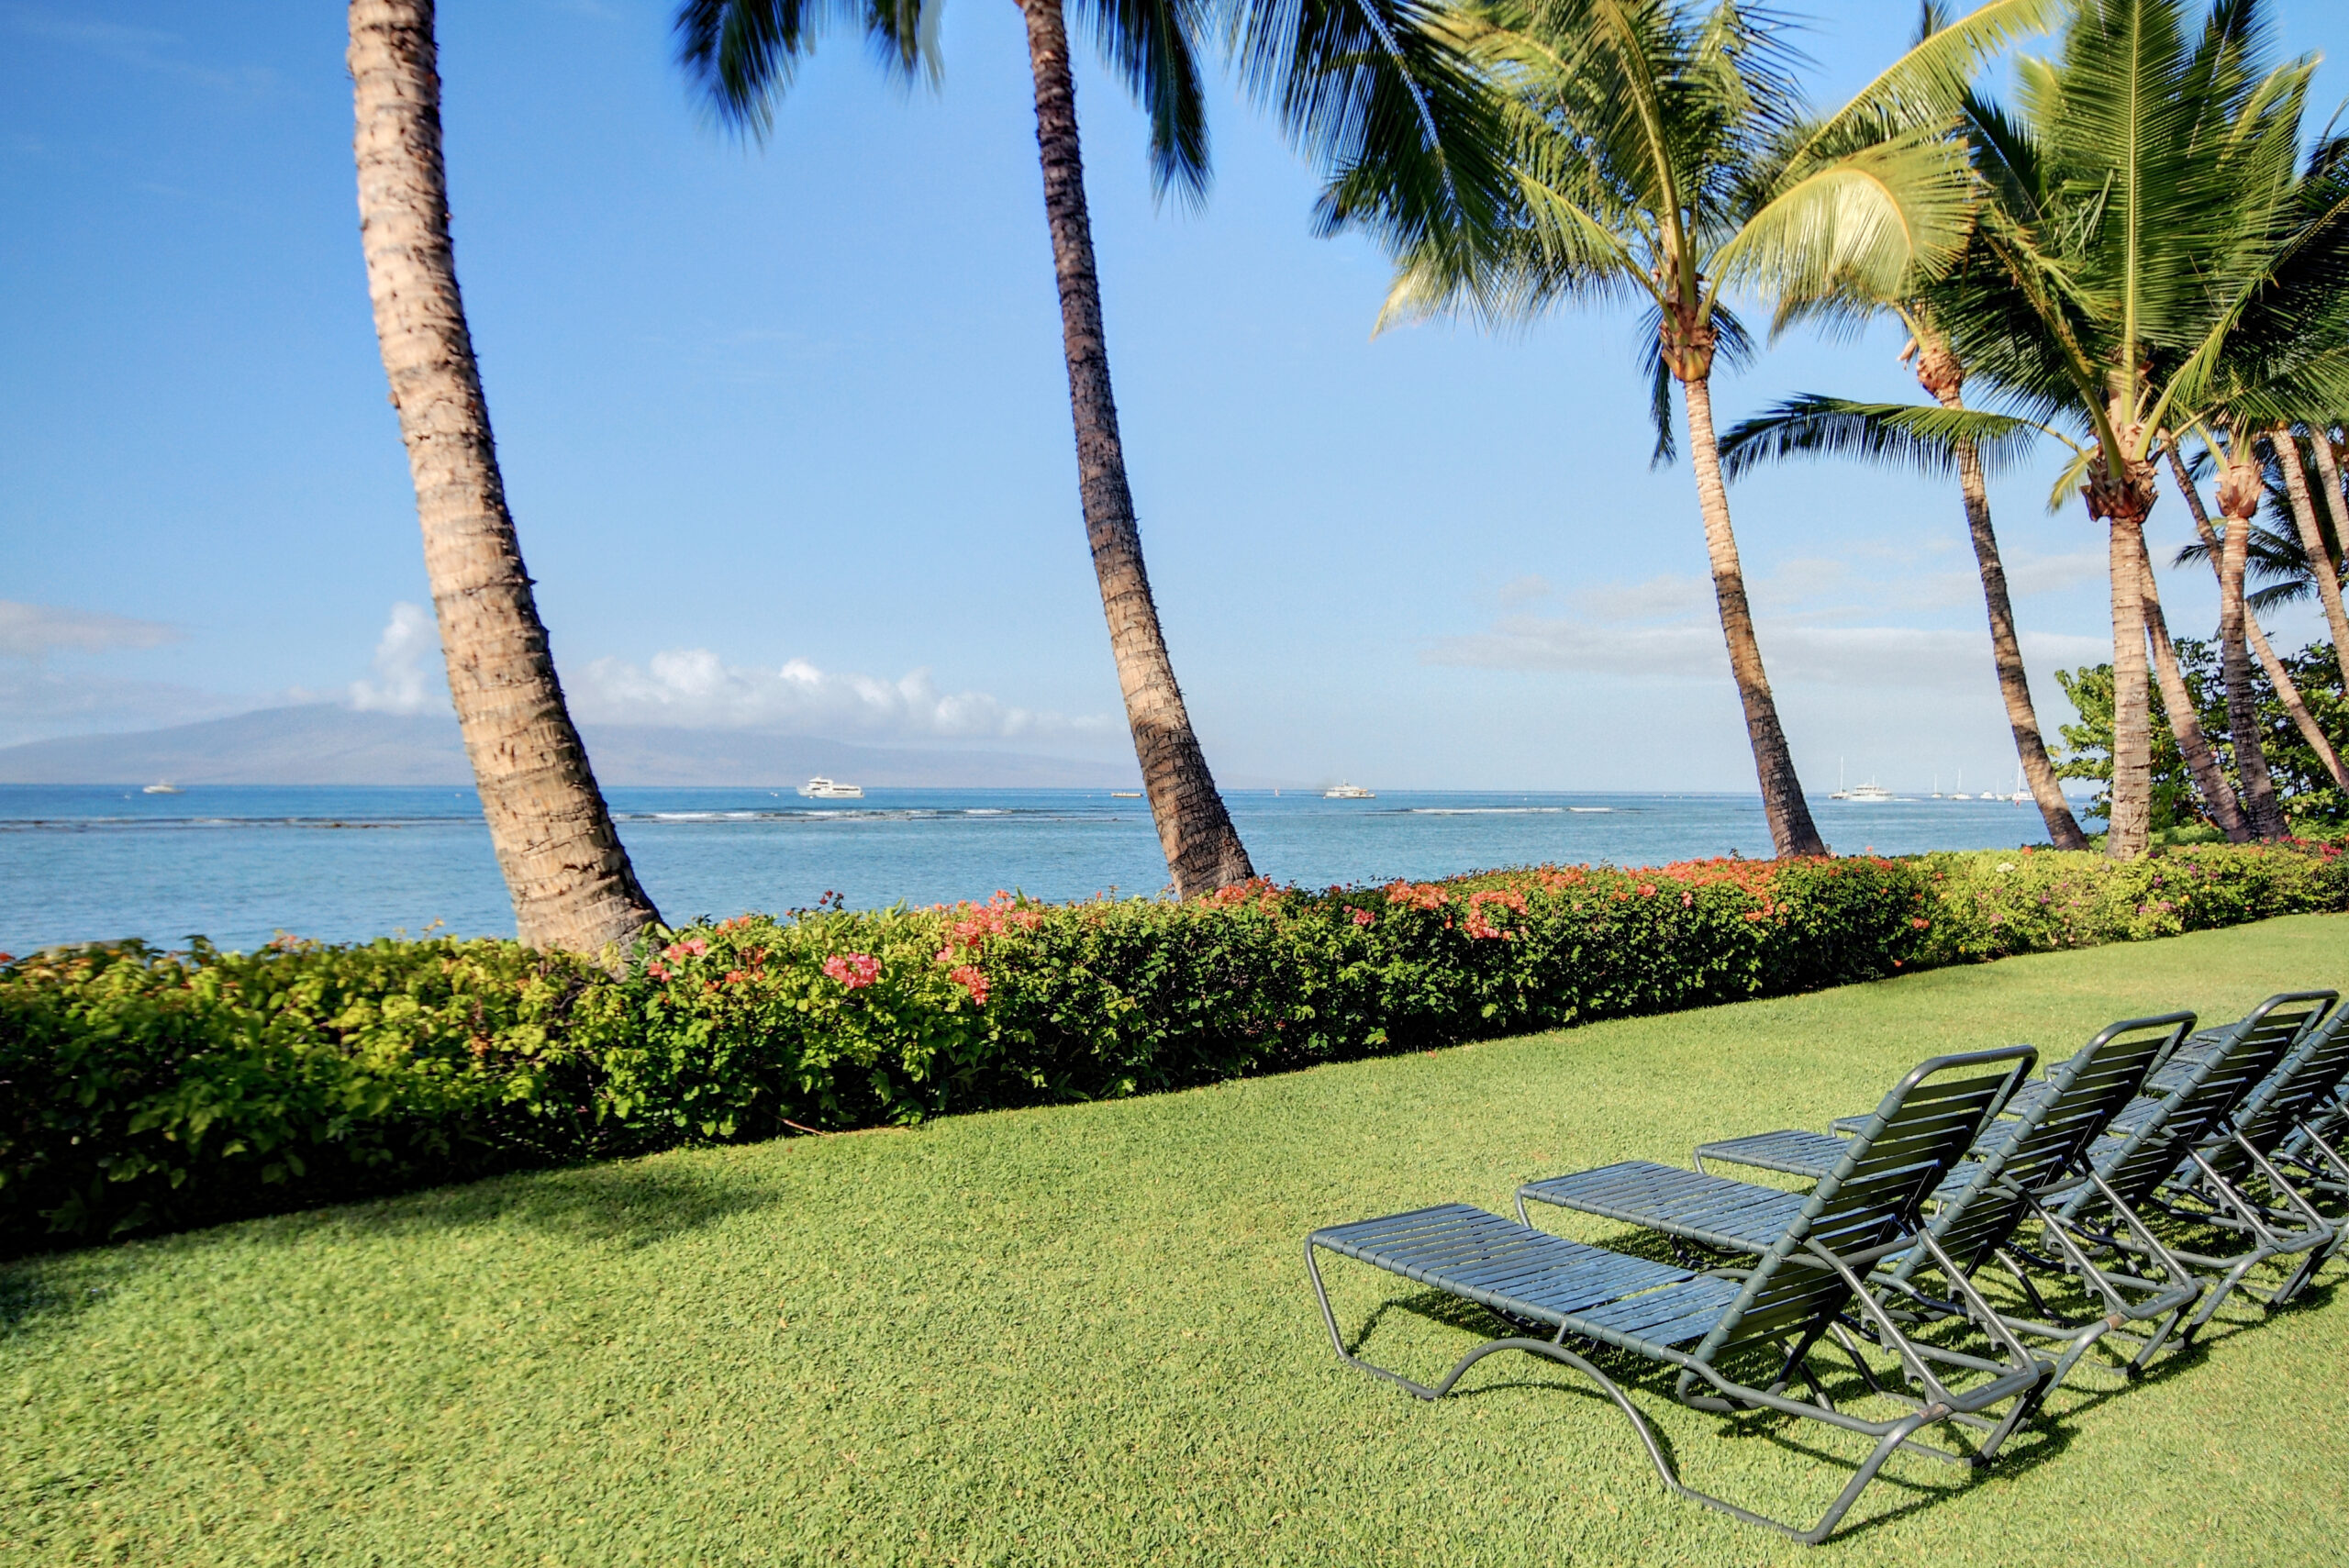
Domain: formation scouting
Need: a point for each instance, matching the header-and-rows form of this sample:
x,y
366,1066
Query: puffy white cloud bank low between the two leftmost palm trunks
x,y
694,689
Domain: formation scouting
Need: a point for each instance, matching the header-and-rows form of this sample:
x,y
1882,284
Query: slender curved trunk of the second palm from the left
x,y
1194,830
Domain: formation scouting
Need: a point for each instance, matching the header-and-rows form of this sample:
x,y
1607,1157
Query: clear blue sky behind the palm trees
x,y
786,431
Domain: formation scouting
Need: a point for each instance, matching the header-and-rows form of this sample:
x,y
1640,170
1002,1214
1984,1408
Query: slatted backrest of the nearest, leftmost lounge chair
x,y
1871,1201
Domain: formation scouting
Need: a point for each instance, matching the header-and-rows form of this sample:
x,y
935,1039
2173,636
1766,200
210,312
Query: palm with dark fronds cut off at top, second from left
x,y
1354,79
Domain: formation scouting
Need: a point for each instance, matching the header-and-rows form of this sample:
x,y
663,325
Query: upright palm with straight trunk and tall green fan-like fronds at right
x,y
2129,238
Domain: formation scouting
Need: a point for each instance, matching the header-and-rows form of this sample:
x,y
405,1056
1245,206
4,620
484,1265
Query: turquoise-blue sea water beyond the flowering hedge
x,y
243,863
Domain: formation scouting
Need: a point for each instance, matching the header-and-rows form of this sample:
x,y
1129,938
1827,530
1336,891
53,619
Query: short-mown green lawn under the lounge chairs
x,y
1086,1337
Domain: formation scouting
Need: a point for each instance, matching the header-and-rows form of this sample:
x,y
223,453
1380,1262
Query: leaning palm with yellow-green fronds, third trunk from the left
x,y
1662,156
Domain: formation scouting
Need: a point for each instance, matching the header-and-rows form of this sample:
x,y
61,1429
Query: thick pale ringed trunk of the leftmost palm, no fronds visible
x,y
563,860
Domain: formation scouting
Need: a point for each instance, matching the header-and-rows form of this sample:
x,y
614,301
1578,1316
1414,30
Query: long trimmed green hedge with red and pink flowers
x,y
154,1090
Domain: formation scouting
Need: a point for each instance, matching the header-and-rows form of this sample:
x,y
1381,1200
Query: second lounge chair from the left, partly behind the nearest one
x,y
2017,1165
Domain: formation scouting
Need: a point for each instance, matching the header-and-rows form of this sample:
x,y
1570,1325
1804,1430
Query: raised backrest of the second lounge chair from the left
x,y
2085,1095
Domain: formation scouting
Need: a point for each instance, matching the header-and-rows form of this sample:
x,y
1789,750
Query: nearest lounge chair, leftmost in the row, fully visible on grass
x,y
1714,1325
